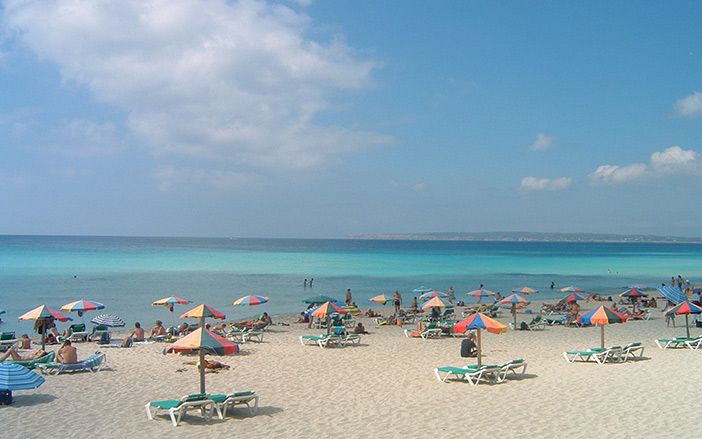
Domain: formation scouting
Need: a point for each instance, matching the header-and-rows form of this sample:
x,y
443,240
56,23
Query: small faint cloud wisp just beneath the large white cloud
x,y
171,176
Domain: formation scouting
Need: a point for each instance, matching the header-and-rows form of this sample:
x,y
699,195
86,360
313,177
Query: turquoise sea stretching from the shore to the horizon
x,y
128,273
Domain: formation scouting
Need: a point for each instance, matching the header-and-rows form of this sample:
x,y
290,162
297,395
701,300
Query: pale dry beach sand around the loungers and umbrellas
x,y
384,388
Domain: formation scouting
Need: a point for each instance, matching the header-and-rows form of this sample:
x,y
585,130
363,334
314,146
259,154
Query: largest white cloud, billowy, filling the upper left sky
x,y
220,80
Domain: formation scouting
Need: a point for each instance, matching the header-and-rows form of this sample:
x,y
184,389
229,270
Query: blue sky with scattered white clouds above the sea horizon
x,y
325,119
